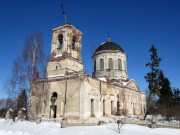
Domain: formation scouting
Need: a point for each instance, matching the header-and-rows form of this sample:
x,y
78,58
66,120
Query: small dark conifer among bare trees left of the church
x,y
22,100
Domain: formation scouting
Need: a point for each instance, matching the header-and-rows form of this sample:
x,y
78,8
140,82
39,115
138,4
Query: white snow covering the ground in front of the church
x,y
8,127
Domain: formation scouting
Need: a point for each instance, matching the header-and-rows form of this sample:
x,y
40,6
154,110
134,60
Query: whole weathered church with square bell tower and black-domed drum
x,y
67,91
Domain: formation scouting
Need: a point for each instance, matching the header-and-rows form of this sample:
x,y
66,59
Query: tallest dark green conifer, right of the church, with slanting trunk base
x,y
152,76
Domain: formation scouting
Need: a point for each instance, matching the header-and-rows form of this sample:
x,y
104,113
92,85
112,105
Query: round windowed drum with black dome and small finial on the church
x,y
109,62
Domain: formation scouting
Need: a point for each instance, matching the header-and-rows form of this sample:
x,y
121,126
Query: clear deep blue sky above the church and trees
x,y
134,24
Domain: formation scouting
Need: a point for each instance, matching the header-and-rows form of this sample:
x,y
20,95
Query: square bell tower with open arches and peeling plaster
x,y
65,51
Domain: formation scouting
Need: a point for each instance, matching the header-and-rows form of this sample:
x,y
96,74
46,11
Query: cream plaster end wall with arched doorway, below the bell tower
x,y
72,106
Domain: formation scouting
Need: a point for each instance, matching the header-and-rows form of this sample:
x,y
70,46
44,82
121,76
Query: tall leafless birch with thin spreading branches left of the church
x,y
25,67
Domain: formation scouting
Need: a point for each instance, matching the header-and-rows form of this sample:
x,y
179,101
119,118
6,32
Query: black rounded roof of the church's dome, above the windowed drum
x,y
109,46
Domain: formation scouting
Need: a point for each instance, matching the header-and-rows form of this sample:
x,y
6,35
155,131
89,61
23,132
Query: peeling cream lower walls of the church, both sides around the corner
x,y
79,93
